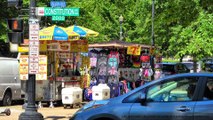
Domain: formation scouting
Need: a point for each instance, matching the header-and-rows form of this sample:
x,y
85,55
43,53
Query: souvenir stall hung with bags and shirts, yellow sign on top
x,y
116,61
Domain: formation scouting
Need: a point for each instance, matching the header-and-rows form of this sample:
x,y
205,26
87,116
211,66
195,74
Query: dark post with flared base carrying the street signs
x,y
31,110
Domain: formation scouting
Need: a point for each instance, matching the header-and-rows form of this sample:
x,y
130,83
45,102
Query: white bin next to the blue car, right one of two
x,y
100,92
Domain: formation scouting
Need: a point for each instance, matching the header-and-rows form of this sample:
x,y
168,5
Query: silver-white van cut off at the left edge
x,y
10,85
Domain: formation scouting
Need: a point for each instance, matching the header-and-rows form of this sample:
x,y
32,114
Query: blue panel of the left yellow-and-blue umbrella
x,y
59,34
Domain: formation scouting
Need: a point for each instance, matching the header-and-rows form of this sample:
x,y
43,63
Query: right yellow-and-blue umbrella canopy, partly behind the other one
x,y
82,31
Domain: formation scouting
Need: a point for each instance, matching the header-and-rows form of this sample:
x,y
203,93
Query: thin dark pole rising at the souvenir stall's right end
x,y
152,41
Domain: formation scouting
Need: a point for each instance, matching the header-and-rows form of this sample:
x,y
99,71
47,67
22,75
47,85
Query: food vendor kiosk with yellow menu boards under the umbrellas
x,y
59,67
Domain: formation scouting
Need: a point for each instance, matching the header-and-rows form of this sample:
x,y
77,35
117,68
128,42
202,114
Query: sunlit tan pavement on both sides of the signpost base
x,y
56,113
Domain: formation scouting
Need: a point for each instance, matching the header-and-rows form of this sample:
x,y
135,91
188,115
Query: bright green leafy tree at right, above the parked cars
x,y
194,38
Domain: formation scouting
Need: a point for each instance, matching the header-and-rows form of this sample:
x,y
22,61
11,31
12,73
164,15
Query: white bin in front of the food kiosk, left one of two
x,y
71,96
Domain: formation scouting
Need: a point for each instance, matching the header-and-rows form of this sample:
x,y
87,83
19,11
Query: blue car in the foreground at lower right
x,y
187,96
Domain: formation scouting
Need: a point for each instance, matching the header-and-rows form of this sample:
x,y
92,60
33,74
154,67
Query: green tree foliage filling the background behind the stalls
x,y
181,27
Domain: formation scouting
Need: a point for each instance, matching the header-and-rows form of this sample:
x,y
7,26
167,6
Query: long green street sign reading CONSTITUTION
x,y
48,11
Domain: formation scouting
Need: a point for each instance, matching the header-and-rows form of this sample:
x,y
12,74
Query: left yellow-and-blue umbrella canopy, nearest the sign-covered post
x,y
55,33
